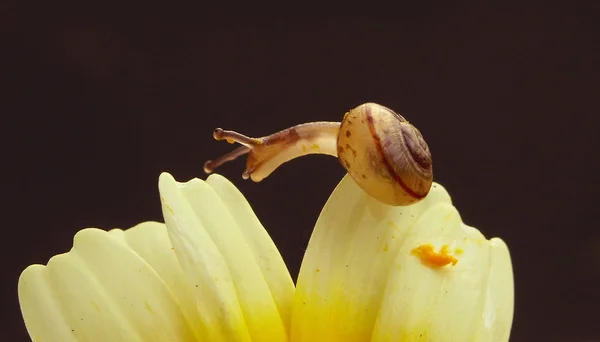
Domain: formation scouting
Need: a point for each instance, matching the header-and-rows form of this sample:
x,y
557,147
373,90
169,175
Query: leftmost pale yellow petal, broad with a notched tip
x,y
99,291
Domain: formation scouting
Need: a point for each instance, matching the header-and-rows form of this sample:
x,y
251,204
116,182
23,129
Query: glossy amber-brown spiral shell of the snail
x,y
385,155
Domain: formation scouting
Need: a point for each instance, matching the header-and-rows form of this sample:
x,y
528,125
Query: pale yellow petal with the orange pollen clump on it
x,y
435,303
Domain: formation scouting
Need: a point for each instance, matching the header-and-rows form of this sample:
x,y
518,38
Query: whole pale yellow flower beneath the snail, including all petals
x,y
371,272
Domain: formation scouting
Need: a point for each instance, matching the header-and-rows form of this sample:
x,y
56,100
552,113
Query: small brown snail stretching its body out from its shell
x,y
384,154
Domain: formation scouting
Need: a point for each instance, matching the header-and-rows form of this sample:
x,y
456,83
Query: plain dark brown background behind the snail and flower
x,y
98,101
